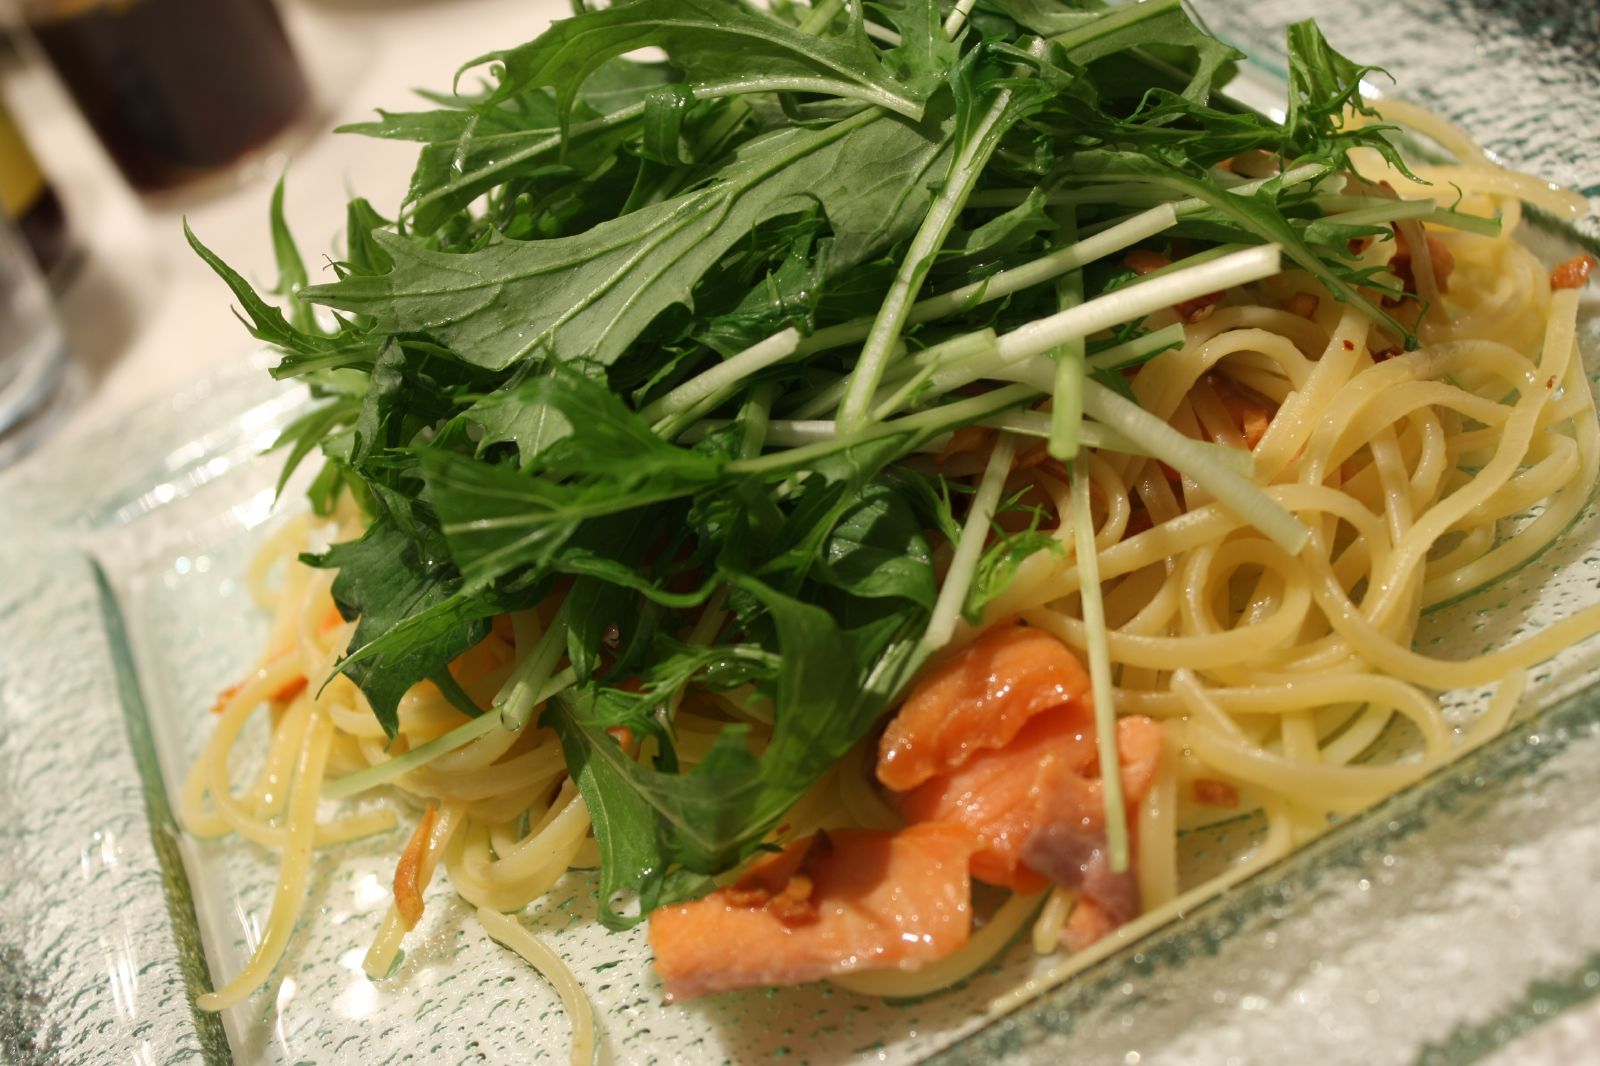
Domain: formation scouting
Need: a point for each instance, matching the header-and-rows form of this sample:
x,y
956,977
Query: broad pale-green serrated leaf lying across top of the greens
x,y
590,297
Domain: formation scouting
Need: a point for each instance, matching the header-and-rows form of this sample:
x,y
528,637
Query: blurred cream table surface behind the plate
x,y
145,316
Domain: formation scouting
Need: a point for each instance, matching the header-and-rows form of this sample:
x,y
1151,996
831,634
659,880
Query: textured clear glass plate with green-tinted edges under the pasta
x,y
1438,928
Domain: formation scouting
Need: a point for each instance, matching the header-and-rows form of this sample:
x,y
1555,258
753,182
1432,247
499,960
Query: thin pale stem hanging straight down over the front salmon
x,y
1082,521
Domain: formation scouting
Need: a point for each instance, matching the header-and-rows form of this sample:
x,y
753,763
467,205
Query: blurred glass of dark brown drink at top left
x,y
175,89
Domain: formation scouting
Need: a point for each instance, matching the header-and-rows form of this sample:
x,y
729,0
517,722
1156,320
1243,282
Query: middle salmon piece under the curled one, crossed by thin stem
x,y
1047,777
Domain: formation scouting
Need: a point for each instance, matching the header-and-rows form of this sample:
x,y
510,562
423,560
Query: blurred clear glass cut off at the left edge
x,y
31,347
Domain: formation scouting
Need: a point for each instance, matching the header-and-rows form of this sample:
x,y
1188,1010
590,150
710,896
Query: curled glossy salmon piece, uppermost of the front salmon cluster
x,y
978,700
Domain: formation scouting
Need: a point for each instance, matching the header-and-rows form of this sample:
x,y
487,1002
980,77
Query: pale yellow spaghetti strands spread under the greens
x,y
1286,683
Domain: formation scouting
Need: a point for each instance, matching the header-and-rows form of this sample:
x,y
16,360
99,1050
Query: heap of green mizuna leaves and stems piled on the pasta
x,y
658,339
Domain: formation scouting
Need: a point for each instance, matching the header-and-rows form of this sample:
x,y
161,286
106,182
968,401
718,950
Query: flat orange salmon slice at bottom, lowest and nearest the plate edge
x,y
833,904
